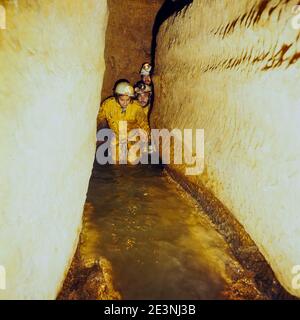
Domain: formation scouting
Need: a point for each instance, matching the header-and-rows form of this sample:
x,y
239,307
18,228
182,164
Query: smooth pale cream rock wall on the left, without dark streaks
x,y
52,65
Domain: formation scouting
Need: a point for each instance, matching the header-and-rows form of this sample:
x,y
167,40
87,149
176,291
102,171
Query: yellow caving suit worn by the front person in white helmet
x,y
111,111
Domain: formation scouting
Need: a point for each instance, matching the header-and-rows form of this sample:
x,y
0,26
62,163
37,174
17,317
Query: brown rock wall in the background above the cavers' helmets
x,y
128,40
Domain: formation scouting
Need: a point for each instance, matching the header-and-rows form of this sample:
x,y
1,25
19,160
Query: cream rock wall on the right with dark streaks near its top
x,y
233,68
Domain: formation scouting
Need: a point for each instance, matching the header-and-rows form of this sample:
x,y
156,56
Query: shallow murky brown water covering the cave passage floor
x,y
156,239
